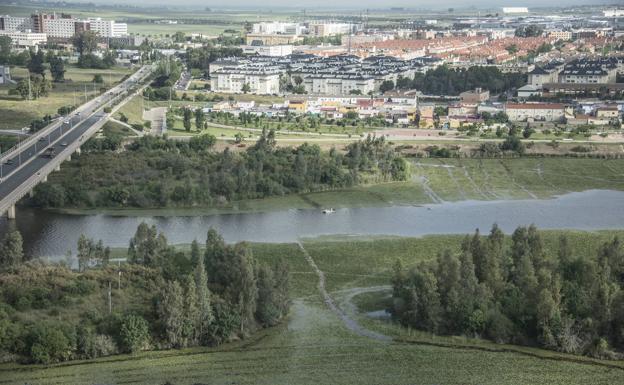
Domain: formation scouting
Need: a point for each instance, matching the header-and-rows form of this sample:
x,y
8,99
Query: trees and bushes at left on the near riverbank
x,y
162,298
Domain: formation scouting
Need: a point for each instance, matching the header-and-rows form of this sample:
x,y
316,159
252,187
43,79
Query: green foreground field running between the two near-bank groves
x,y
315,343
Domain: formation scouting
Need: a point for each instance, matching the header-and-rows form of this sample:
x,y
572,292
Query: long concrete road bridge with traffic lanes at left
x,y
31,161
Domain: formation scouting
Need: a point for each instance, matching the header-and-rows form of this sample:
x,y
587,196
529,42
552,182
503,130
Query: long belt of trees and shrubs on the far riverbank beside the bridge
x,y
158,172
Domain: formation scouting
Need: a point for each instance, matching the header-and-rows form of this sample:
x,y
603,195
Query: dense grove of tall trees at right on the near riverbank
x,y
519,294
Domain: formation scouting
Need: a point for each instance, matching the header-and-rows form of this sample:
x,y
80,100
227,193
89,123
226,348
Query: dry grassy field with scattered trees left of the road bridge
x,y
16,113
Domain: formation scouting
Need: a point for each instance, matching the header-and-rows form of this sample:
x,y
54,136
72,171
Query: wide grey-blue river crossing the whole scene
x,y
52,235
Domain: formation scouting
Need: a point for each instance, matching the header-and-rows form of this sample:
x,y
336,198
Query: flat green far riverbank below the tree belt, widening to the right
x,y
432,181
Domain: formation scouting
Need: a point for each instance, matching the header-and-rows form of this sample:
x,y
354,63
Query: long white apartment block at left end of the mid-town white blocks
x,y
232,80
